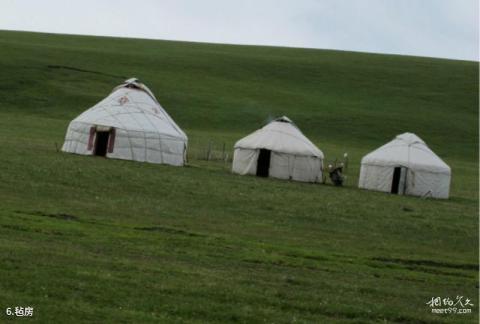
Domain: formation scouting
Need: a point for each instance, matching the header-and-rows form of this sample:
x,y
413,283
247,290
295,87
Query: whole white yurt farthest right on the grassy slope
x,y
405,166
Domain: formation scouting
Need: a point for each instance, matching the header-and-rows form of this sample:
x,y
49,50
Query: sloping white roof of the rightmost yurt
x,y
407,150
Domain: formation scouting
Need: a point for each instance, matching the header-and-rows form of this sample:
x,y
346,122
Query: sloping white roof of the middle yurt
x,y
280,135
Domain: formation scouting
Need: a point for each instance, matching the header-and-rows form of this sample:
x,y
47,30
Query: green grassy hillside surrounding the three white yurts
x,y
87,239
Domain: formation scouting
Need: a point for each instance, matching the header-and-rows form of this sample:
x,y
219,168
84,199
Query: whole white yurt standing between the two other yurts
x,y
278,150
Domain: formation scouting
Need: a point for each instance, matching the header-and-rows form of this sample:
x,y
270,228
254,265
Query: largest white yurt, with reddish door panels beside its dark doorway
x,y
129,124
